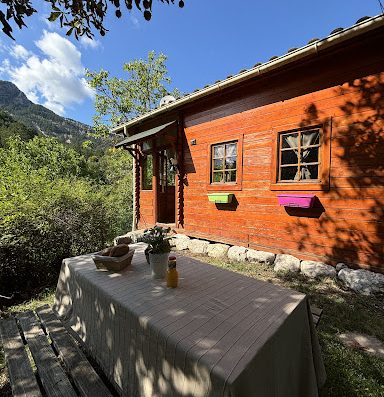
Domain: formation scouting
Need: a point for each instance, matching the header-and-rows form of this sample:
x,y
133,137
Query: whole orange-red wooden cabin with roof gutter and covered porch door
x,y
308,122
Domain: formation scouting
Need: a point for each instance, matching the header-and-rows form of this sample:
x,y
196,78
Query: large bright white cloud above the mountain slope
x,y
55,79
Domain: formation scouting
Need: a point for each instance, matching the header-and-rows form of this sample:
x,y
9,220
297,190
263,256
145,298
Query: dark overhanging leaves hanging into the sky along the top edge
x,y
79,17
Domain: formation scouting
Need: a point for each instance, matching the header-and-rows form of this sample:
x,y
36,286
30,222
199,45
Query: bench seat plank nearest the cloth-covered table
x,y
82,373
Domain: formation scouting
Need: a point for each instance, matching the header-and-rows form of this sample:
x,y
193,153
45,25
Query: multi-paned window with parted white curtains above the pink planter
x,y
299,156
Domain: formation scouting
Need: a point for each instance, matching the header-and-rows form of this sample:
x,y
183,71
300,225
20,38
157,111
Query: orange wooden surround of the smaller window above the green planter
x,y
226,186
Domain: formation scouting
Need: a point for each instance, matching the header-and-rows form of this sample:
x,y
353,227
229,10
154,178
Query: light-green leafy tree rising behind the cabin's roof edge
x,y
118,100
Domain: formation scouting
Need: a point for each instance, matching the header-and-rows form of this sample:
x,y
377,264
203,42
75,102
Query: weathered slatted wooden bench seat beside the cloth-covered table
x,y
42,342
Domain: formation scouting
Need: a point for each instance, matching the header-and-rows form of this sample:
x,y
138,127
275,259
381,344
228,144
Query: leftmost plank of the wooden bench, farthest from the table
x,y
21,376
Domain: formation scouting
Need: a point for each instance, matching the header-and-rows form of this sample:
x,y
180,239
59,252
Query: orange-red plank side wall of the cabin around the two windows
x,y
344,88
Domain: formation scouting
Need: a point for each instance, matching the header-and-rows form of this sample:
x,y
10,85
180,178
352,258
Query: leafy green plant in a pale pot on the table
x,y
158,249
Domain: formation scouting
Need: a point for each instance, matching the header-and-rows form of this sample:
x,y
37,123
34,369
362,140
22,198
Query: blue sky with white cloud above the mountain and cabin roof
x,y
205,41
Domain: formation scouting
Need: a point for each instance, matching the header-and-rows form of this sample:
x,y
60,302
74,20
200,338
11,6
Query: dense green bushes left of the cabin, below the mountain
x,y
52,206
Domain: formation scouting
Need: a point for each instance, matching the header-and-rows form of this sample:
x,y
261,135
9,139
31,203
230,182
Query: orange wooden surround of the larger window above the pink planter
x,y
322,183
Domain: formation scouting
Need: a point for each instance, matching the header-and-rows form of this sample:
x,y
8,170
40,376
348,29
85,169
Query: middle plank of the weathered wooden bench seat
x,y
52,375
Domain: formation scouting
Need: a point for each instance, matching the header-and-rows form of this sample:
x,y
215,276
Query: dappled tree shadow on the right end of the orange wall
x,y
354,216
